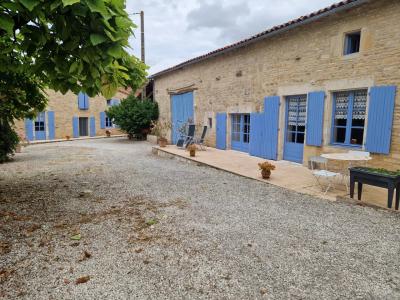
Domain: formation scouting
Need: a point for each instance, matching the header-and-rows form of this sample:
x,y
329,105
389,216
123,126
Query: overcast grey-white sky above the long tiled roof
x,y
177,30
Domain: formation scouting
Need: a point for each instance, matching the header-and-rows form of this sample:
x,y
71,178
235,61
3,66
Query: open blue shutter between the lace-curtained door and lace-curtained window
x,y
315,118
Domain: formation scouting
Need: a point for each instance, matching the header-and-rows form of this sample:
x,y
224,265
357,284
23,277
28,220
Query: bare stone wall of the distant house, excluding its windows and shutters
x,y
65,107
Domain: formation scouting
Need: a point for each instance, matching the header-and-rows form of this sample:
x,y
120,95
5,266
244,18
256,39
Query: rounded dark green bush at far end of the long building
x,y
133,115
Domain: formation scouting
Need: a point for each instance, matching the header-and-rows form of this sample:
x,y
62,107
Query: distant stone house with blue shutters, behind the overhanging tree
x,y
71,115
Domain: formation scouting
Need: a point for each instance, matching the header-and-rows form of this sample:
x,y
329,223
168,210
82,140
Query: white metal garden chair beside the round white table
x,y
322,175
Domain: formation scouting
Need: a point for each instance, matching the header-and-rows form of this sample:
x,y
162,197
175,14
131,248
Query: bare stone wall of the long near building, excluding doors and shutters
x,y
303,59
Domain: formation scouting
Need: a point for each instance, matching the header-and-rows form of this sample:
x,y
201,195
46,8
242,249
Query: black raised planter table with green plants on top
x,y
367,176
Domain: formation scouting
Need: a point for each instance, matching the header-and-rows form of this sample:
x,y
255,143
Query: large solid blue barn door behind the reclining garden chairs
x,y
181,113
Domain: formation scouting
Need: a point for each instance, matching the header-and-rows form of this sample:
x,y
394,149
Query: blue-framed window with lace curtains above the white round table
x,y
349,117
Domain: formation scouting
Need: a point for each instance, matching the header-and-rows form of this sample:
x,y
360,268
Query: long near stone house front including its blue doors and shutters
x,y
325,82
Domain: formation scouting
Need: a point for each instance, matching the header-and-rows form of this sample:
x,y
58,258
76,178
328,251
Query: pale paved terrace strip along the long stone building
x,y
288,175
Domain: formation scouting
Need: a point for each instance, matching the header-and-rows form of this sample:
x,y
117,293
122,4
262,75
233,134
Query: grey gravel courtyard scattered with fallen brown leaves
x,y
106,219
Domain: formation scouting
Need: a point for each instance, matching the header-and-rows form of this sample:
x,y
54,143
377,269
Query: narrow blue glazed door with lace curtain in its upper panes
x,y
296,109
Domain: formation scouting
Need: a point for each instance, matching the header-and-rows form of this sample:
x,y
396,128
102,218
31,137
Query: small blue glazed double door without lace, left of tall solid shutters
x,y
240,132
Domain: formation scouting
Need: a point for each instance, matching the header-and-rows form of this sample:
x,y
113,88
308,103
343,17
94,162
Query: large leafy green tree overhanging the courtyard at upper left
x,y
76,45
